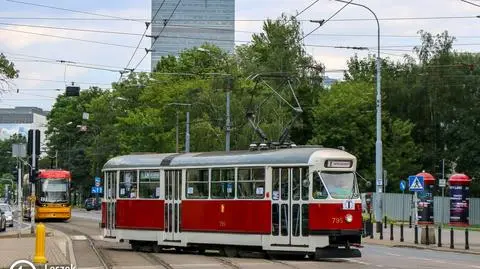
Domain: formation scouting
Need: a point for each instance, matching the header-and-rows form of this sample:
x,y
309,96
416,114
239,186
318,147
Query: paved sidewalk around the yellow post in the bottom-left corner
x,y
13,248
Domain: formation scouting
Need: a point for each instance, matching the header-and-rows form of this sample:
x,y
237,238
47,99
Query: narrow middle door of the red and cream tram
x,y
173,199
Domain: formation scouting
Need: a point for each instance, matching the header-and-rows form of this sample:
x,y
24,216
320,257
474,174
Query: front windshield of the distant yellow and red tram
x,y
54,190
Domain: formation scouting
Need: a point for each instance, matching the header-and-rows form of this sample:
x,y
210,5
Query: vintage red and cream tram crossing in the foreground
x,y
301,200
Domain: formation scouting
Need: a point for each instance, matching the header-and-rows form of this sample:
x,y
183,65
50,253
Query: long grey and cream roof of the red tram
x,y
299,155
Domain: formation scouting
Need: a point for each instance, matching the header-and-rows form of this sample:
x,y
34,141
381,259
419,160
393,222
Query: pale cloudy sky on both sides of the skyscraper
x,y
43,60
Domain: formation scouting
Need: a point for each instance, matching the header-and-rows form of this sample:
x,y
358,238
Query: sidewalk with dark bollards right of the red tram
x,y
409,239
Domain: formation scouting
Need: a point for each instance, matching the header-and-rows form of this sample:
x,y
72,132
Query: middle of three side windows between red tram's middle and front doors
x,y
222,183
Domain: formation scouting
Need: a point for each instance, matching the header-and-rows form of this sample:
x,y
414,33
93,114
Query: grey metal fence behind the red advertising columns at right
x,y
398,207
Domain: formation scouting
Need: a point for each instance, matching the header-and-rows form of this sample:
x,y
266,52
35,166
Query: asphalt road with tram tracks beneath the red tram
x,y
121,256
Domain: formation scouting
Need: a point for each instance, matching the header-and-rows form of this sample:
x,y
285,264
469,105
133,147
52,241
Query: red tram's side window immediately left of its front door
x,y
251,183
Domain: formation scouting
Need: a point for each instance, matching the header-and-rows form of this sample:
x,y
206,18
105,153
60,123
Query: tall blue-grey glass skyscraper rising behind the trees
x,y
193,23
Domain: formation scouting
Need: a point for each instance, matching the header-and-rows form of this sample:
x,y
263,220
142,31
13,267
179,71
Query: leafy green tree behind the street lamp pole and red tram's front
x,y
346,117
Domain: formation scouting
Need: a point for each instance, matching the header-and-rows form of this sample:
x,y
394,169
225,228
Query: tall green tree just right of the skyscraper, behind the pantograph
x,y
279,50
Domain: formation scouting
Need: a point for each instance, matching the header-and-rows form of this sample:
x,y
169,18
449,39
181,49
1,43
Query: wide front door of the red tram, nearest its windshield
x,y
290,190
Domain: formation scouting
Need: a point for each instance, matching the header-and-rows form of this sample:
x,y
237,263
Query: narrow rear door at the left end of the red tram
x,y
110,203
